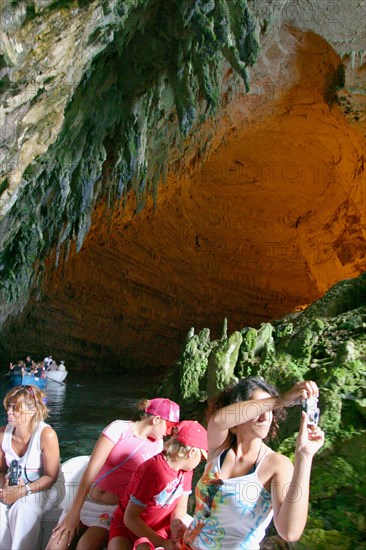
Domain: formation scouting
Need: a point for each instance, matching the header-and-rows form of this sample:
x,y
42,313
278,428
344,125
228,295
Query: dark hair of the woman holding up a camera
x,y
243,391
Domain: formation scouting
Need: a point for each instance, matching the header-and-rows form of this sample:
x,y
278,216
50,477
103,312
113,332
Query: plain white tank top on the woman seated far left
x,y
32,461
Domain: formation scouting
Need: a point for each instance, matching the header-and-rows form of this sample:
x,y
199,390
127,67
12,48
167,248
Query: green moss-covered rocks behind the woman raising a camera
x,y
325,343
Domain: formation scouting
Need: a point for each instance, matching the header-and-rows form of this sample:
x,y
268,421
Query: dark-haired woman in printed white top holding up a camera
x,y
245,483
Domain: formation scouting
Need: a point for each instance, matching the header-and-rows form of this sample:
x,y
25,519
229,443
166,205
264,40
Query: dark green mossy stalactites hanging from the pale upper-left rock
x,y
157,78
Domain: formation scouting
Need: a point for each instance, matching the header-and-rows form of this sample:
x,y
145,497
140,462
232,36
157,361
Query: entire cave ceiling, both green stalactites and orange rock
x,y
146,187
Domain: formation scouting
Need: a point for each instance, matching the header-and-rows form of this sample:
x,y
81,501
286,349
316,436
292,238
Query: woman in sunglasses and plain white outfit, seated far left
x,y
29,449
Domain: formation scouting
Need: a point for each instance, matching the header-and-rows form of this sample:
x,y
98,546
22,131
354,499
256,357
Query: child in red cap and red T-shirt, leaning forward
x,y
151,512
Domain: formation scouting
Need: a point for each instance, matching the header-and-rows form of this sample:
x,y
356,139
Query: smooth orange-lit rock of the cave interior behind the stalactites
x,y
265,221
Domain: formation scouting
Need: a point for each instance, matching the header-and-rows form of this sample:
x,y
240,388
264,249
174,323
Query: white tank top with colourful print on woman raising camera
x,y
230,514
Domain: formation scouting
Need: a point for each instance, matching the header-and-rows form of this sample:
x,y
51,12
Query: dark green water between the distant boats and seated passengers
x,y
86,403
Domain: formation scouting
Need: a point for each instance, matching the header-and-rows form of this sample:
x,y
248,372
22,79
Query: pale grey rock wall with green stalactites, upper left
x,y
90,112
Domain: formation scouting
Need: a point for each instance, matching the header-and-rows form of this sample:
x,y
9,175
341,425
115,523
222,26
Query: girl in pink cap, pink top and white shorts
x,y
120,449
